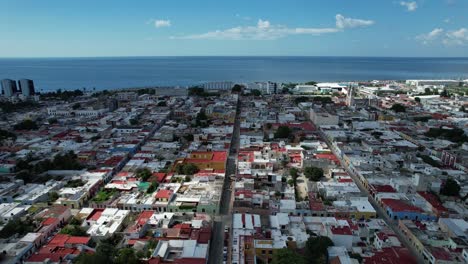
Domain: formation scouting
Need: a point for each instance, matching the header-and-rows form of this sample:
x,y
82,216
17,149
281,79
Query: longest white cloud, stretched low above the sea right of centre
x,y
264,30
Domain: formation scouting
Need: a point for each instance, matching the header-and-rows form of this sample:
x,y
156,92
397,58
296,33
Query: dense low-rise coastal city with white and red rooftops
x,y
231,172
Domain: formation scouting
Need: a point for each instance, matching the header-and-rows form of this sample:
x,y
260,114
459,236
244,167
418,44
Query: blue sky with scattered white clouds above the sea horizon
x,y
84,28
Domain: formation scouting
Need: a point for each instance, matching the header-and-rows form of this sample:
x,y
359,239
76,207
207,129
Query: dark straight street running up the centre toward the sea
x,y
224,217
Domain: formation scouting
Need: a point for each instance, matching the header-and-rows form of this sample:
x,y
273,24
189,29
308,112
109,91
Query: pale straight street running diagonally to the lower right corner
x,y
380,212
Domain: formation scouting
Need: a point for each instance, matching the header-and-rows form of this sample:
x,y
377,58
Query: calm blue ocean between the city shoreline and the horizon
x,y
50,74
